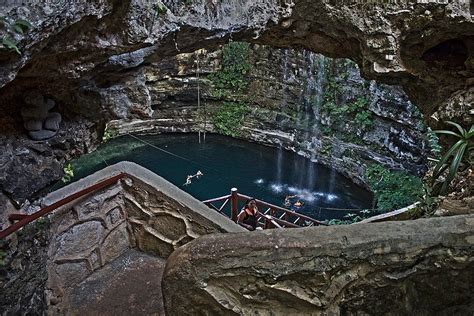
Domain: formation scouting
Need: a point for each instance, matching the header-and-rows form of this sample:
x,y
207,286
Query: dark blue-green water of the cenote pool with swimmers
x,y
263,172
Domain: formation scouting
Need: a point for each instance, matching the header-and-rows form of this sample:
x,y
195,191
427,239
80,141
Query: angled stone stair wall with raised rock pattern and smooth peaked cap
x,y
143,211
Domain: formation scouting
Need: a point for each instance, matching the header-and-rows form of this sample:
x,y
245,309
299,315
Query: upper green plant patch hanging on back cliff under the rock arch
x,y
235,68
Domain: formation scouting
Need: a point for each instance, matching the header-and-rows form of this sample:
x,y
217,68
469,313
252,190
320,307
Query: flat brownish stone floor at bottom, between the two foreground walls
x,y
129,285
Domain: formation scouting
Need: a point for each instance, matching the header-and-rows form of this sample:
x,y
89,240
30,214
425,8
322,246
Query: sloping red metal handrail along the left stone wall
x,y
24,219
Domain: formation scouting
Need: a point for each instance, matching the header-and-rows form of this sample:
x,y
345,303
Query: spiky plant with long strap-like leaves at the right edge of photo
x,y
457,156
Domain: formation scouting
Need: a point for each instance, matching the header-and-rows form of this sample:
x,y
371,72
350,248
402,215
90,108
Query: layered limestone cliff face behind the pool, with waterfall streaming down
x,y
317,106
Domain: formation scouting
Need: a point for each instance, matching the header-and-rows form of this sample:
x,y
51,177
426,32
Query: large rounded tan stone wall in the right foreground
x,y
395,268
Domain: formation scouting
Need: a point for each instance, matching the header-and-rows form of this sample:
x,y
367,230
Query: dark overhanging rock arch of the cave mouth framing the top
x,y
87,56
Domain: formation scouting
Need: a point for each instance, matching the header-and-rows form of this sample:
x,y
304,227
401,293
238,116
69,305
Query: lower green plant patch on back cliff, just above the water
x,y
229,117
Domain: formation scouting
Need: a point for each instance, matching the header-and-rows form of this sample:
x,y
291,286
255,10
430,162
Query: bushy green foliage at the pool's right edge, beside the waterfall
x,y
393,189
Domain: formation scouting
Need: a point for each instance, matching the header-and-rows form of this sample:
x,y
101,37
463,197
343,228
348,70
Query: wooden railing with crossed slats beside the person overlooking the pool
x,y
269,215
